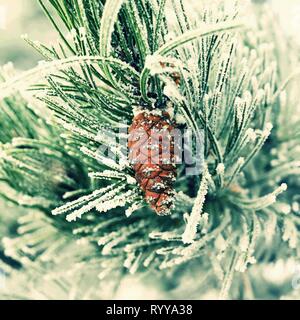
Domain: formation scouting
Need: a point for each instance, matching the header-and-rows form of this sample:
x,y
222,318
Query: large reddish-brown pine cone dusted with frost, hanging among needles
x,y
151,152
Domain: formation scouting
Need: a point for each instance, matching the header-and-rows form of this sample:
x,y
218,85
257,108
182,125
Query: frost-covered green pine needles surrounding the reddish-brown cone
x,y
85,223
